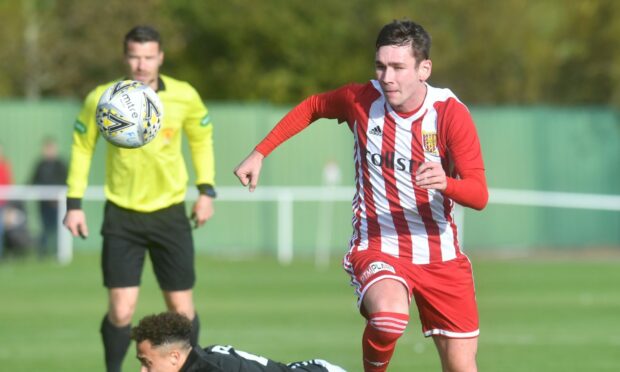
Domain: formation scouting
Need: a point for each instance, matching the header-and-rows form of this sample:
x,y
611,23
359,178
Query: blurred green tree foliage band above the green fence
x,y
488,52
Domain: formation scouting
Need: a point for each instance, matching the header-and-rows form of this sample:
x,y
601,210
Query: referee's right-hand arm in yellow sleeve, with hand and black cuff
x,y
199,130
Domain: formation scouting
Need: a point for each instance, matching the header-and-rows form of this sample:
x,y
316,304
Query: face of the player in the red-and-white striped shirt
x,y
402,80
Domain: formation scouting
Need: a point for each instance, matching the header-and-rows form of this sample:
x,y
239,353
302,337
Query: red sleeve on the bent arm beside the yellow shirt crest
x,y
463,147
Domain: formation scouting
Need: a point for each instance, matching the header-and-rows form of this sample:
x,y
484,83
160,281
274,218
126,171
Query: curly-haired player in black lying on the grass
x,y
163,345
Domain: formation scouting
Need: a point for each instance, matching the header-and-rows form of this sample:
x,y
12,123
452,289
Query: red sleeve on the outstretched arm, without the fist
x,y
330,105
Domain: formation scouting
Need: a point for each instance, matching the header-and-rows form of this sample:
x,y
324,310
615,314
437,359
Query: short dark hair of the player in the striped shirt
x,y
403,33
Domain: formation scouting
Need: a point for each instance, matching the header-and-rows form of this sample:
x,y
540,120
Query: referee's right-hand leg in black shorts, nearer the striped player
x,y
172,254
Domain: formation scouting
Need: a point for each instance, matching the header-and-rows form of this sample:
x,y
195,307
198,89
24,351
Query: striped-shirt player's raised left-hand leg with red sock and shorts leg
x,y
384,301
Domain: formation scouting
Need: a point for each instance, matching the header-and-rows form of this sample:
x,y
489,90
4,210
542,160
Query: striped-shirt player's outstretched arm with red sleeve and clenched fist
x,y
331,105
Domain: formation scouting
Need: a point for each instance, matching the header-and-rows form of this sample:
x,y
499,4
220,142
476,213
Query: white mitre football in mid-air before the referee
x,y
129,114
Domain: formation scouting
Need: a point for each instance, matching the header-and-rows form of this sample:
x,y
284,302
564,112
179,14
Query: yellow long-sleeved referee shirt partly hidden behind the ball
x,y
154,176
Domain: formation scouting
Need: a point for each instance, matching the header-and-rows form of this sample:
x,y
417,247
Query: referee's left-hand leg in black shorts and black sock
x,y
121,262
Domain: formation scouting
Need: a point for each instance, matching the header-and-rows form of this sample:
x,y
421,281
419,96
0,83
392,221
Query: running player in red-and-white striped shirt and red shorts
x,y
416,154
